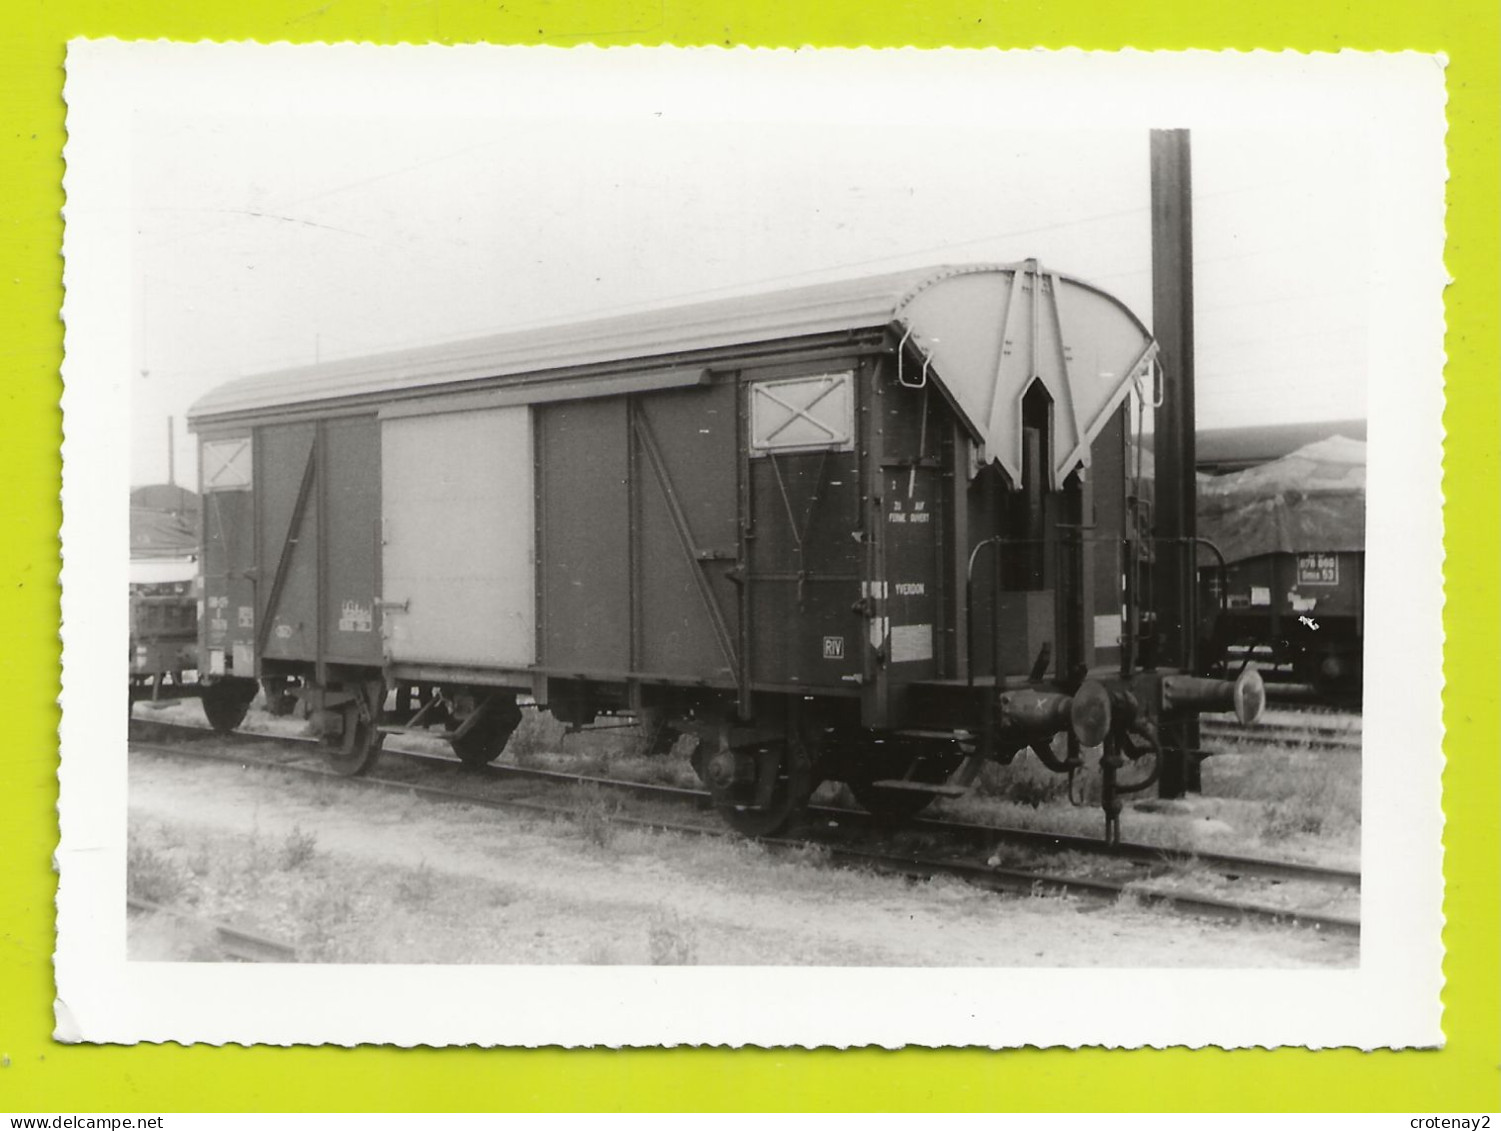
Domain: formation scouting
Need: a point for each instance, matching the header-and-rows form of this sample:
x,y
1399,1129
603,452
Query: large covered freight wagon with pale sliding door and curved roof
x,y
876,532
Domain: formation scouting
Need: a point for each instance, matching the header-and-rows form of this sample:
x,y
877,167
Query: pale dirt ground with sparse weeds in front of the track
x,y
364,876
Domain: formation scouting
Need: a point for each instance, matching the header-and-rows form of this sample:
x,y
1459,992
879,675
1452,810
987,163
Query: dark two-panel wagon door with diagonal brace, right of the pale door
x,y
639,537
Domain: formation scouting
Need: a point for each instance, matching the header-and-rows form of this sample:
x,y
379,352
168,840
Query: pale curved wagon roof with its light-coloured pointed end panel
x,y
955,319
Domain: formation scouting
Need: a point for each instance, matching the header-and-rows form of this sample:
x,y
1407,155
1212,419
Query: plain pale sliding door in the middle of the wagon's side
x,y
459,572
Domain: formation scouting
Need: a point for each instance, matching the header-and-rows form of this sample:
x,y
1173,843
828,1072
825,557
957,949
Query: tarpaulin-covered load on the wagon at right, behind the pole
x,y
1313,499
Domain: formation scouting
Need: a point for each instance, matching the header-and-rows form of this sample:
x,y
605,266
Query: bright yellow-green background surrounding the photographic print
x,y
41,1076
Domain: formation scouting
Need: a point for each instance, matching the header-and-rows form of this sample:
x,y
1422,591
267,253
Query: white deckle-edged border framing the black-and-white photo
x,y
1392,1000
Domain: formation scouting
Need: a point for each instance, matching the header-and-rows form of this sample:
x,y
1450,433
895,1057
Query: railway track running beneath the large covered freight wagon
x,y
850,837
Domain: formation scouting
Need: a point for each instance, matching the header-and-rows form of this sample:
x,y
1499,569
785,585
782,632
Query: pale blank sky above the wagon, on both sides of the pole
x,y
271,232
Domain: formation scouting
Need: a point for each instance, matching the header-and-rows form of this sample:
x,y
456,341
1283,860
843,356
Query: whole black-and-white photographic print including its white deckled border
x,y
751,547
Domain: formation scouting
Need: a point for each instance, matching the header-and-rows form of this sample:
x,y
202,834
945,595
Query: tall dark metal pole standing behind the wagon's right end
x,y
1176,505
